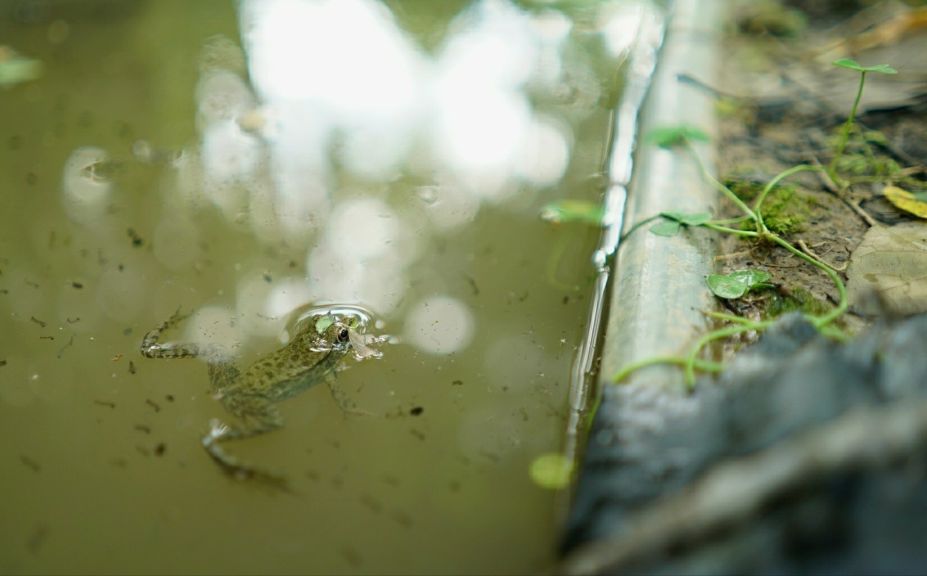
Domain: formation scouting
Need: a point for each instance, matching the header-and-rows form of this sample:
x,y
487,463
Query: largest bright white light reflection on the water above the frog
x,y
341,86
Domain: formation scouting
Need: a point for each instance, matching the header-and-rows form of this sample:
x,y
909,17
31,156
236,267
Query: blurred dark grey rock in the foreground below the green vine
x,y
806,456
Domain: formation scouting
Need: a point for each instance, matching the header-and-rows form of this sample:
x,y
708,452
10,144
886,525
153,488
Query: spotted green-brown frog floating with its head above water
x,y
322,340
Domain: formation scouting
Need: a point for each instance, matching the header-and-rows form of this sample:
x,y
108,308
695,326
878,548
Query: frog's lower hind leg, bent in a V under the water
x,y
269,419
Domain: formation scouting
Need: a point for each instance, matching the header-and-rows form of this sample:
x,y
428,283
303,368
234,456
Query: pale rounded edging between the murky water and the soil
x,y
658,292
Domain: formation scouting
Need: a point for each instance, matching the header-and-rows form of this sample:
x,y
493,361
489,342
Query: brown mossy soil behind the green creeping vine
x,y
781,104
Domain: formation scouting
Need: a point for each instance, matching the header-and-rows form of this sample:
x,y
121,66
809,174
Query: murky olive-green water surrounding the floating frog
x,y
240,160
